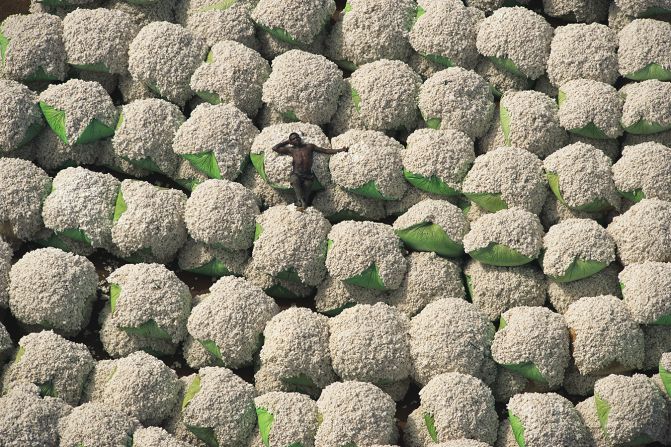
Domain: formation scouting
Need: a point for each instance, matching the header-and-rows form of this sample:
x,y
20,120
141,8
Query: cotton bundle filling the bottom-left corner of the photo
x,y
28,416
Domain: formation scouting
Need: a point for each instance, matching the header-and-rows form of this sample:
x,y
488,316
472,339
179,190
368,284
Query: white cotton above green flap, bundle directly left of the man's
x,y
222,130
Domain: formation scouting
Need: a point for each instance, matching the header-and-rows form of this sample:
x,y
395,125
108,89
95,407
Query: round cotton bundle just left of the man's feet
x,y
221,214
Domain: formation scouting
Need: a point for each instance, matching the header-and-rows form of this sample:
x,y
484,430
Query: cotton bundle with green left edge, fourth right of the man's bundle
x,y
580,176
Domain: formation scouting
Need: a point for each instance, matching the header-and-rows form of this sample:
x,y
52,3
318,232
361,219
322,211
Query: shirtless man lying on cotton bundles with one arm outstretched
x,y
302,176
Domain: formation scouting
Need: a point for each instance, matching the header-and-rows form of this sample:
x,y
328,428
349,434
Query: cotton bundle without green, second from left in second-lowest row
x,y
140,386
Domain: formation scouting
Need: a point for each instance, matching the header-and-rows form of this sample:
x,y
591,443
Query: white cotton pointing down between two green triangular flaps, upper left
x,y
82,102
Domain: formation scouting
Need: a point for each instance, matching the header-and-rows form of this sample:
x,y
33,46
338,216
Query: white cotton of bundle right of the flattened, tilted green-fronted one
x,y
514,228
